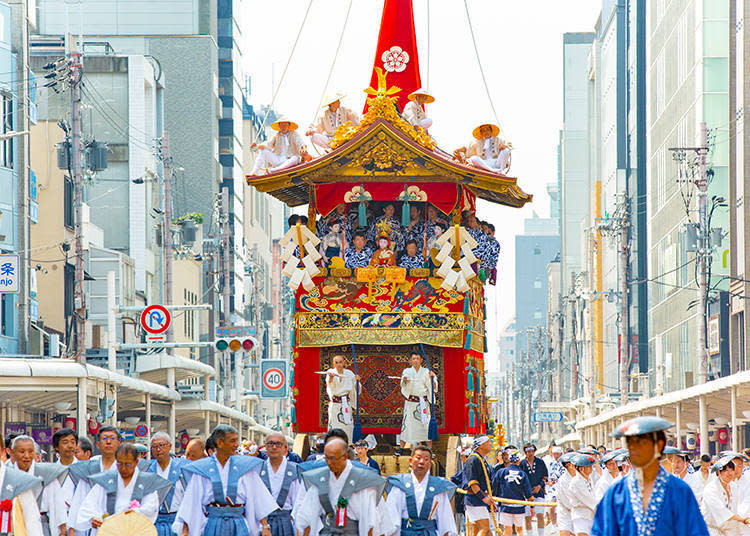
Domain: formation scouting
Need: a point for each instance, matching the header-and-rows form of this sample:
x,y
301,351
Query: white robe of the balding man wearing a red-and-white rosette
x,y
362,506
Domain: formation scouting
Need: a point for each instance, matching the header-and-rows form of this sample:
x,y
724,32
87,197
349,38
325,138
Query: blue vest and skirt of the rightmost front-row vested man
x,y
419,523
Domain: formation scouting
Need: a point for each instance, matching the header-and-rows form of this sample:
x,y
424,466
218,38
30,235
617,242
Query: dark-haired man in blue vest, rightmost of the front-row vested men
x,y
422,501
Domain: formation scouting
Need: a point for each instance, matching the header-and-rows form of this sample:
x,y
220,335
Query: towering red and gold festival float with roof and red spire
x,y
376,315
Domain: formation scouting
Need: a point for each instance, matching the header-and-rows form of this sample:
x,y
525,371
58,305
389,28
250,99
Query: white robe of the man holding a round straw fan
x,y
95,504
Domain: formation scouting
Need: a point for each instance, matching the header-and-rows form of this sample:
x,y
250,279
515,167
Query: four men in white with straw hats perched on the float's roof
x,y
287,148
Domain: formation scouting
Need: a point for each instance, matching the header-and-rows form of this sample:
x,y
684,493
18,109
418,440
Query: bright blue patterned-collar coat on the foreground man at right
x,y
672,510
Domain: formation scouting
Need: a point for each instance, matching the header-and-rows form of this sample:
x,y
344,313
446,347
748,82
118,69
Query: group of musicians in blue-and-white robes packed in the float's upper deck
x,y
383,240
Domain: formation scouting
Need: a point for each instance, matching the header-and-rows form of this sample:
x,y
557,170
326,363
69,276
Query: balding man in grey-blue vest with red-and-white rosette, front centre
x,y
341,499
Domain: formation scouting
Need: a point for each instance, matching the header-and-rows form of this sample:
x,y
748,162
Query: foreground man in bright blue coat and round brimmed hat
x,y
648,501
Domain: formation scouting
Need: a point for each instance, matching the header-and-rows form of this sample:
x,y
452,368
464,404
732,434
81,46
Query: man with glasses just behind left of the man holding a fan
x,y
107,441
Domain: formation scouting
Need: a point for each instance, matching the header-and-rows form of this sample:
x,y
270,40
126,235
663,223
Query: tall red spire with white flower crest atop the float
x,y
396,52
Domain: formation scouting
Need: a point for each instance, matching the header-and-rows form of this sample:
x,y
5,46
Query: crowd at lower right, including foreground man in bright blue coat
x,y
646,488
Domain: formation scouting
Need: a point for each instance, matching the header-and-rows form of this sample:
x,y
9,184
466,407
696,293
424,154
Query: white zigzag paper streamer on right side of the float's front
x,y
456,241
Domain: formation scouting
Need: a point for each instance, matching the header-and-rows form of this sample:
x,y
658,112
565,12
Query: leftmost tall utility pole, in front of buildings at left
x,y
76,149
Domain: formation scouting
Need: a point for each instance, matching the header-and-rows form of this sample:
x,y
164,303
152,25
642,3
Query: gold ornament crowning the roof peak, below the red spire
x,y
381,106
